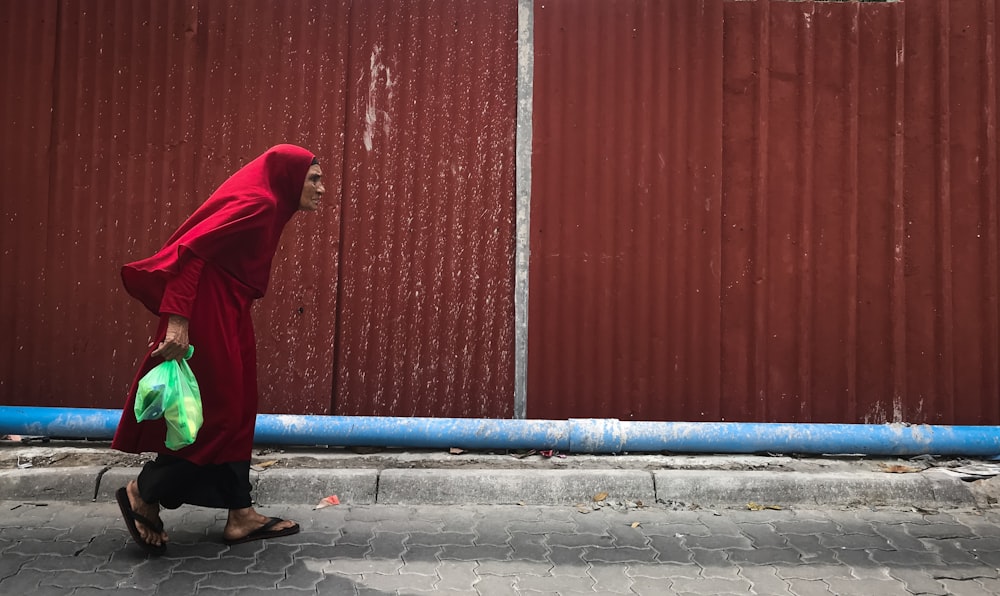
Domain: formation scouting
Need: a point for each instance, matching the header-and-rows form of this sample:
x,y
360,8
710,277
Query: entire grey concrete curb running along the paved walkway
x,y
704,488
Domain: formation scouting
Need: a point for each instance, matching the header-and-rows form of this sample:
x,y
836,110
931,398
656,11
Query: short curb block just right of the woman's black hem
x,y
309,486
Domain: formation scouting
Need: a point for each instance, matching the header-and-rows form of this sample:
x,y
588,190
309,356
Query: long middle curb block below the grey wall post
x,y
505,487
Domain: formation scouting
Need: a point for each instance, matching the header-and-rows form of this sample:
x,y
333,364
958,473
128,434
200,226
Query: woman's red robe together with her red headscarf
x,y
210,271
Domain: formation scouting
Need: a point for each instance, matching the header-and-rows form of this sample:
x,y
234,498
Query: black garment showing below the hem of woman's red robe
x,y
172,482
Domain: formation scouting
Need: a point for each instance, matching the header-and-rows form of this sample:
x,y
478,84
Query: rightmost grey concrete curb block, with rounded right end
x,y
723,488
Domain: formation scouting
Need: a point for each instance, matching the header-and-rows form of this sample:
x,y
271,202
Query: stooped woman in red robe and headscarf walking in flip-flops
x,y
201,285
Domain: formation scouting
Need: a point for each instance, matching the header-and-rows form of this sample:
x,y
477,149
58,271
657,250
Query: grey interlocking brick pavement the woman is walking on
x,y
82,549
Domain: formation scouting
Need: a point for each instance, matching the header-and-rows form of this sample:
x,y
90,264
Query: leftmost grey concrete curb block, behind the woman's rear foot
x,y
50,484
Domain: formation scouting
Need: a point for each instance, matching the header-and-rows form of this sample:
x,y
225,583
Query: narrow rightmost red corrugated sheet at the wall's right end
x,y
950,205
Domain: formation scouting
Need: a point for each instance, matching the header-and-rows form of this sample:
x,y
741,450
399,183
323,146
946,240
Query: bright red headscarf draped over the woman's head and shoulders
x,y
236,229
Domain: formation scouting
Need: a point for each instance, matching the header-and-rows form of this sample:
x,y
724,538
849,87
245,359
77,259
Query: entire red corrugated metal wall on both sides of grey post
x,y
739,211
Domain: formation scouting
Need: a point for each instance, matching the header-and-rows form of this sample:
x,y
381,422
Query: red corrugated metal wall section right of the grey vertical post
x,y
791,218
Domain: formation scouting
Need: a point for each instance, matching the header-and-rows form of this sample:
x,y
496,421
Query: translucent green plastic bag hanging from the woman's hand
x,y
170,391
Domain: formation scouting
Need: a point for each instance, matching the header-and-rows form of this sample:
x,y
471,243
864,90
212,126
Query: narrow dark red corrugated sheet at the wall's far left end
x,y
26,173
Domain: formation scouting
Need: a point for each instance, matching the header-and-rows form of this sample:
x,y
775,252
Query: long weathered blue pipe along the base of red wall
x,y
569,436
